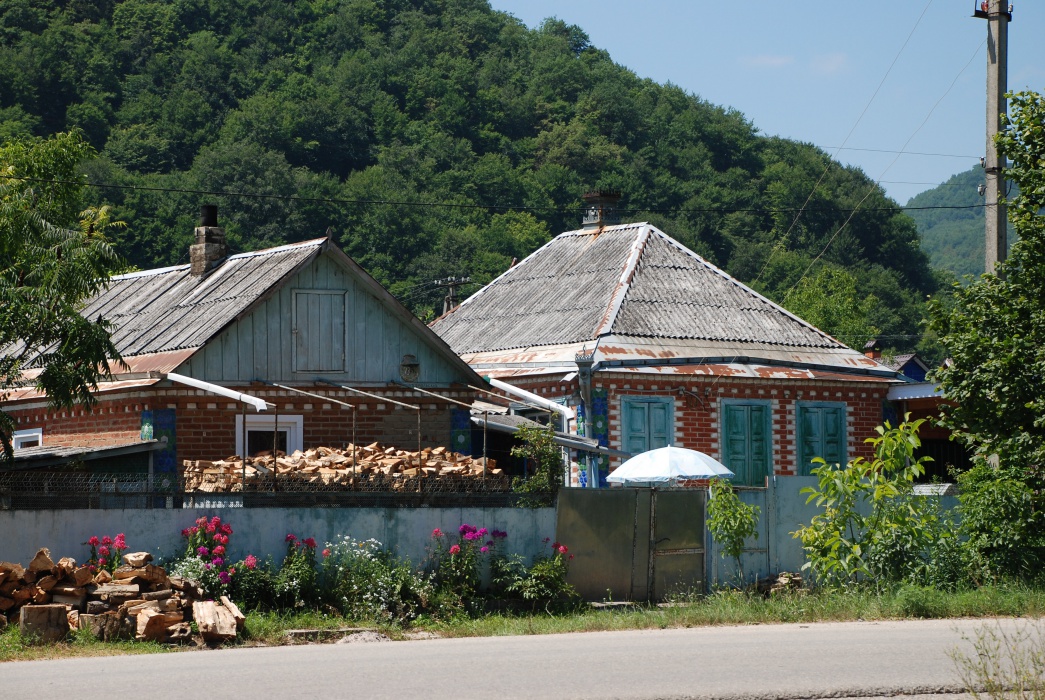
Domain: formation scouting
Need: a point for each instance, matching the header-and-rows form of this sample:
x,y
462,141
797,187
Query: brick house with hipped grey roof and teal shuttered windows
x,y
681,353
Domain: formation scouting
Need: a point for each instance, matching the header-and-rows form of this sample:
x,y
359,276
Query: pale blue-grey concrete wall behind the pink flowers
x,y
262,531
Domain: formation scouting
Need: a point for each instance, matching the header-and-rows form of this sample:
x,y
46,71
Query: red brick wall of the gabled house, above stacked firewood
x,y
206,425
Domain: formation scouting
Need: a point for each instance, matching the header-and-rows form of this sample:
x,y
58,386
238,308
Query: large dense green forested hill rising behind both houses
x,y
430,137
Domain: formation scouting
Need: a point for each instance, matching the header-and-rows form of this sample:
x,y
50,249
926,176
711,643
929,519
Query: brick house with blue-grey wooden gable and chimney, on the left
x,y
205,344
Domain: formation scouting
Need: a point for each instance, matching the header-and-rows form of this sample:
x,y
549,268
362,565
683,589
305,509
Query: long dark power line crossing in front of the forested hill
x,y
450,205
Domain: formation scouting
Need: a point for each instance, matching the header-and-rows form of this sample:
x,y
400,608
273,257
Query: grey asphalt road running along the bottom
x,y
816,661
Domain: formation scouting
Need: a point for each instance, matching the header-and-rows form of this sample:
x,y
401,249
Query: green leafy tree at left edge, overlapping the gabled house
x,y
54,256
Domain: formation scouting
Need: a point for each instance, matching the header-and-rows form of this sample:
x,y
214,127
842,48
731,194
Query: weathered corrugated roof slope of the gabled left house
x,y
160,311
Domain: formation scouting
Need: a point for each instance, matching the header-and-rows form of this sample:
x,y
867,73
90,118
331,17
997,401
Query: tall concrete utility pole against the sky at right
x,y
998,14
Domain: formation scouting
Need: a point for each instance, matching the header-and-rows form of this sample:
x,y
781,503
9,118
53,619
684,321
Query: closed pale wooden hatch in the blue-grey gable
x,y
319,331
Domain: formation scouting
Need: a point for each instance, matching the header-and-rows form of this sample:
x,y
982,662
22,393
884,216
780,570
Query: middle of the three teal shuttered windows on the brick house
x,y
747,441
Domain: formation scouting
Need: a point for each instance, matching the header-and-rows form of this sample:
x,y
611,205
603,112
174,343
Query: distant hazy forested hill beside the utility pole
x,y
954,238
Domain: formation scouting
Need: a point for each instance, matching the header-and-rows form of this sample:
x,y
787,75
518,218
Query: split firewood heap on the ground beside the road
x,y
137,601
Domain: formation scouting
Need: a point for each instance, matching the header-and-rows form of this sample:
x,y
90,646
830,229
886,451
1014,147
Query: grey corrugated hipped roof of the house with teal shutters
x,y
631,281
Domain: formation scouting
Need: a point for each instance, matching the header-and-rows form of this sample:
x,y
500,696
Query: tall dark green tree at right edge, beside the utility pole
x,y
994,331
